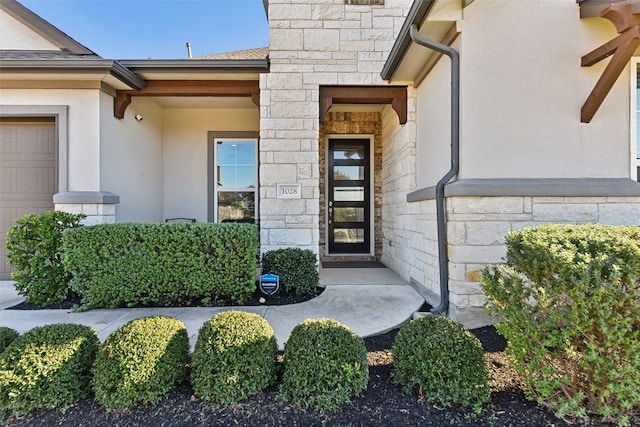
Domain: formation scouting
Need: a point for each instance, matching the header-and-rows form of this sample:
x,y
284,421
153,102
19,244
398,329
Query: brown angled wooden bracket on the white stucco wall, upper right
x,y
622,48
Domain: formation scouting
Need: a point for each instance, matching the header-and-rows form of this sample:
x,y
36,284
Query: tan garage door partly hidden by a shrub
x,y
28,173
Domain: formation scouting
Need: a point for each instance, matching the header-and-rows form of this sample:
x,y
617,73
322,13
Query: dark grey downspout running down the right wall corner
x,y
441,219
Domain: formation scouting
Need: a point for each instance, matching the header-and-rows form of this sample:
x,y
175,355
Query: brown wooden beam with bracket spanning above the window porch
x,y
222,88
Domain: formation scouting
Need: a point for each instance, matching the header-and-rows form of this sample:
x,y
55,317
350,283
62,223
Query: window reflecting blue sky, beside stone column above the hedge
x,y
234,178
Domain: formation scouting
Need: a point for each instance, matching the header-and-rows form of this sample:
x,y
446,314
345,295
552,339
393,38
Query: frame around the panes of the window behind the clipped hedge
x,y
213,190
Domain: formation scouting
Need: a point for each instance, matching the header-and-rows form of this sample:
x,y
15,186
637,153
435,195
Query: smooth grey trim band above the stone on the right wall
x,y
549,187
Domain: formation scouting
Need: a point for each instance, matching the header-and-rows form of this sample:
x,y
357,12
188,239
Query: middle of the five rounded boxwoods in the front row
x,y
234,357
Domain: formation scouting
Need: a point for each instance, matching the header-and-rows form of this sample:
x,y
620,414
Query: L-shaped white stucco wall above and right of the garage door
x,y
83,129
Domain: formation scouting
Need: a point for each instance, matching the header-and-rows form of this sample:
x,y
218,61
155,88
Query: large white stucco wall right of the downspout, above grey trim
x,y
522,90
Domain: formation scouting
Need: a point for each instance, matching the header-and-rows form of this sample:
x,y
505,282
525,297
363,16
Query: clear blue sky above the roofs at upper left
x,y
157,29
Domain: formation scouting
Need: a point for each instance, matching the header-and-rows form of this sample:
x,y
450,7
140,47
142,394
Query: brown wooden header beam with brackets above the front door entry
x,y
394,95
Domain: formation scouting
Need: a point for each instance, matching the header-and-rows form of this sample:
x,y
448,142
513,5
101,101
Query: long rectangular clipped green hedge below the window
x,y
116,265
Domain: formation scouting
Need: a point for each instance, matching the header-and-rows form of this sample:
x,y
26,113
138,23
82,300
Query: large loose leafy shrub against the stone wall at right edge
x,y
569,297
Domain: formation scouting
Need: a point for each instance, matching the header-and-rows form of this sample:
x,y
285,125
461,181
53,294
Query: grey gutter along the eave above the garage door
x,y
91,65
